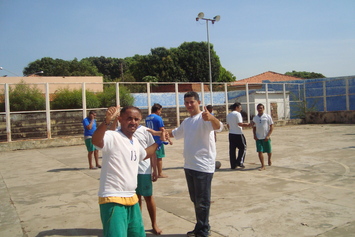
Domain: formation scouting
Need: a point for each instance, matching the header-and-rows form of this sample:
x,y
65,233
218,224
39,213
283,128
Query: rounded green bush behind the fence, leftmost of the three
x,y
24,97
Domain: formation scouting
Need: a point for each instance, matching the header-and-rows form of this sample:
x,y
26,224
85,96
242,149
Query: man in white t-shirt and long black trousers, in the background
x,y
236,136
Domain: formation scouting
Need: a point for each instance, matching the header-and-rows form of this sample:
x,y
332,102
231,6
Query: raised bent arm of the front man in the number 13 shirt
x,y
98,136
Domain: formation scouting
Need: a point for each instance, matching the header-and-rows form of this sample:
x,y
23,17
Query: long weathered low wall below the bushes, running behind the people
x,y
29,129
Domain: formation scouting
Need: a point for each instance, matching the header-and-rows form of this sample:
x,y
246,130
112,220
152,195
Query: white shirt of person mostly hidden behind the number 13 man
x,y
146,139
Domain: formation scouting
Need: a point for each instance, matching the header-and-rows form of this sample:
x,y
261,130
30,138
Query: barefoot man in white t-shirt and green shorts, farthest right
x,y
262,129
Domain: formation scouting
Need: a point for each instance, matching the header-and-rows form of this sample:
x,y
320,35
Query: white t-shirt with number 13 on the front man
x,y
120,158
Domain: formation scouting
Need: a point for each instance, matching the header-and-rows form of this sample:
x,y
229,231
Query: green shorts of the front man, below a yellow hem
x,y
121,221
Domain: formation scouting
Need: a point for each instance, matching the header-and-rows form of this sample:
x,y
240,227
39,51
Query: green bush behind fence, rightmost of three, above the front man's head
x,y
108,97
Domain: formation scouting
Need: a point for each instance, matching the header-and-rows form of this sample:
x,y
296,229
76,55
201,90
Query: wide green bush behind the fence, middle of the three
x,y
72,99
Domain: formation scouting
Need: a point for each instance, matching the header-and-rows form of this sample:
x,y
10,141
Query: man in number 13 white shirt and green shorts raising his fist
x,y
121,153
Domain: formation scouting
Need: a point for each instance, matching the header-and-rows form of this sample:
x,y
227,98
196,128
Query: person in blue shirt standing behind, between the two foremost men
x,y
155,122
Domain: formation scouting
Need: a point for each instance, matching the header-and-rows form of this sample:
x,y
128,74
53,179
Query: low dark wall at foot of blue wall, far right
x,y
344,117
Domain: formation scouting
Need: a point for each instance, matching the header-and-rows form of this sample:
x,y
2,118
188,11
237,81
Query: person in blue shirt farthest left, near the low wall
x,y
89,124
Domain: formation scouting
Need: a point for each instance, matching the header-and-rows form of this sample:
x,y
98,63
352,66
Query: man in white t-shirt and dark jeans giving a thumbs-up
x,y
200,155
